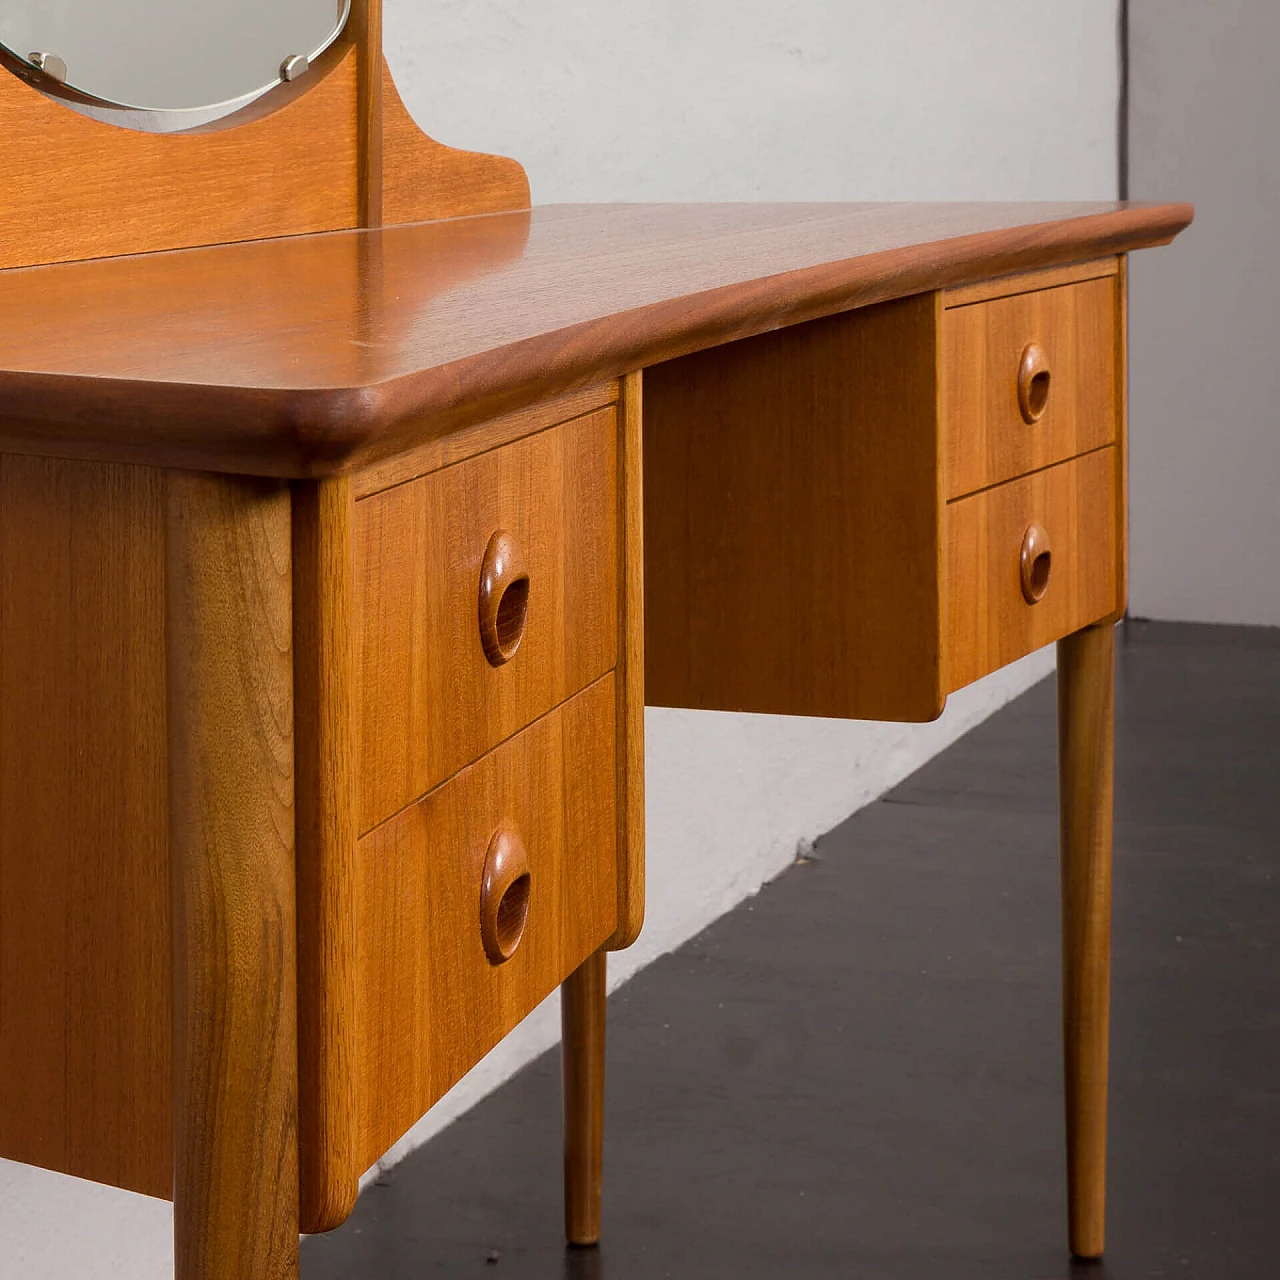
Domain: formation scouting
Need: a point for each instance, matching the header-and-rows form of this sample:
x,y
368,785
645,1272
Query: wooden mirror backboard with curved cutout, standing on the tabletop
x,y
331,150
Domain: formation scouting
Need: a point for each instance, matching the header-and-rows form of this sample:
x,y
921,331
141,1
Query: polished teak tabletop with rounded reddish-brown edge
x,y
318,354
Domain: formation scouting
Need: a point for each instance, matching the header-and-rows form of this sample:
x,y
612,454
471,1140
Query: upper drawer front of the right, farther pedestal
x,y
1028,381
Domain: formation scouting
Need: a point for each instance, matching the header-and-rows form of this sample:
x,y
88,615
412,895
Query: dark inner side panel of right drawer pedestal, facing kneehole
x,y
794,522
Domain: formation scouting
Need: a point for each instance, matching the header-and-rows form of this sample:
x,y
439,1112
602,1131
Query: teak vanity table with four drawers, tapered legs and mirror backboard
x,y
330,602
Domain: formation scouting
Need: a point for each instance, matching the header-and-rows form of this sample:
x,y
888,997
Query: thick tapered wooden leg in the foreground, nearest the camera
x,y
231,752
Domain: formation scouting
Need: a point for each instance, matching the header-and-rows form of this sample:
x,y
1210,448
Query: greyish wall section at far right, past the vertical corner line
x,y
1205,316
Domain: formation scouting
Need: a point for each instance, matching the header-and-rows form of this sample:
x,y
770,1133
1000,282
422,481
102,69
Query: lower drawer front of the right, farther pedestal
x,y
1053,534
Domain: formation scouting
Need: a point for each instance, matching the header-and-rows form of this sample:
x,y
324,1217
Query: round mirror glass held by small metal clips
x,y
200,57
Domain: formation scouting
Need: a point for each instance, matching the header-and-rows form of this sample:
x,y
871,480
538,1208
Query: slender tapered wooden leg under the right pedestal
x,y
1086,712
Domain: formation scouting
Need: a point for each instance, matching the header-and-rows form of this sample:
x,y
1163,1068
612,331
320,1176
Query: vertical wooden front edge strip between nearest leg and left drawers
x,y
324,682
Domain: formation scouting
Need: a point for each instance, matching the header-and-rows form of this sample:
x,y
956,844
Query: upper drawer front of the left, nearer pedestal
x,y
449,670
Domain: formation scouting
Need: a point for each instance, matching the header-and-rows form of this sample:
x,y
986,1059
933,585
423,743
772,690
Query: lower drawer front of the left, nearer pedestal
x,y
431,999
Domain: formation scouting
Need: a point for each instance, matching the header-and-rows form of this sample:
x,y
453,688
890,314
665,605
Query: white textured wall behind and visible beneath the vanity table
x,y
710,100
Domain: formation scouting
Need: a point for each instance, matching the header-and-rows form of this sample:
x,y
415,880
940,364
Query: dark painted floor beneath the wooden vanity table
x,y
857,1073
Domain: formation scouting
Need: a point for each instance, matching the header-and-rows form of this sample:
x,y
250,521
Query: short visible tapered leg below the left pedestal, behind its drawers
x,y
583,1052
